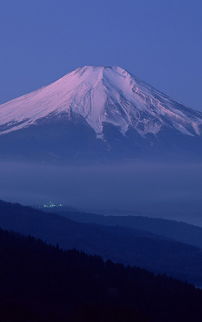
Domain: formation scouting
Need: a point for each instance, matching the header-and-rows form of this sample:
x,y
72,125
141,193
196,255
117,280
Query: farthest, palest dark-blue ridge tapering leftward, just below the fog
x,y
179,231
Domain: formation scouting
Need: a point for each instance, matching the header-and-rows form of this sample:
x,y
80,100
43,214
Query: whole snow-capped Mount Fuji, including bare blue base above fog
x,y
98,113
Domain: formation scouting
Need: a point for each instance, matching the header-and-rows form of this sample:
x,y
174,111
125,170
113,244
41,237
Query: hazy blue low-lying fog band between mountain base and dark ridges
x,y
159,190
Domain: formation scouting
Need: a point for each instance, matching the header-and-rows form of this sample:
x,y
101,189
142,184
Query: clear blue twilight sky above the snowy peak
x,y
160,41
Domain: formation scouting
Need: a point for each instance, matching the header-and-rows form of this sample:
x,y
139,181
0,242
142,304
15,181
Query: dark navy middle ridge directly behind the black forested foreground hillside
x,y
128,246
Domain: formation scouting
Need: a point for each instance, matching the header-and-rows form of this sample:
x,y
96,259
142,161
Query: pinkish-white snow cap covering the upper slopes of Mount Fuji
x,y
101,95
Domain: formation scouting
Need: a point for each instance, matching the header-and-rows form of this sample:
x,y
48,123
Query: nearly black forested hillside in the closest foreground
x,y
42,283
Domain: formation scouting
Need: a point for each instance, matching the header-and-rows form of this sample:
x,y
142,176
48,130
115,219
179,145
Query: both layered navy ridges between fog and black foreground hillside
x,y
145,244
